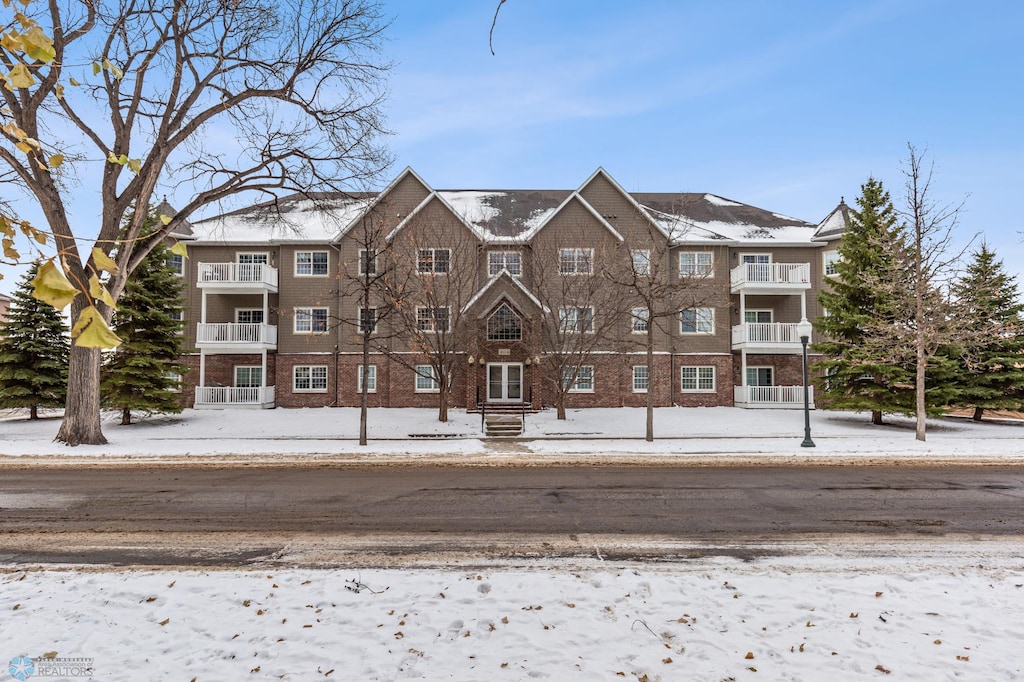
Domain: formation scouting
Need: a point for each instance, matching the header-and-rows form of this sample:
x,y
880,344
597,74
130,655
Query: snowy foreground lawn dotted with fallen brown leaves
x,y
829,619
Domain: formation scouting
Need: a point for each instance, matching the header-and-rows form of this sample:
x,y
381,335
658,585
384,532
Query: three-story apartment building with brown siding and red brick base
x,y
481,294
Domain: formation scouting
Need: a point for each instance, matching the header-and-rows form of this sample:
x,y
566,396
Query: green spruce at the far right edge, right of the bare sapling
x,y
987,302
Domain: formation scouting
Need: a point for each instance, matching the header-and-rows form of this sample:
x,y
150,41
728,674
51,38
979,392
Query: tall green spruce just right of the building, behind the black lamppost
x,y
857,378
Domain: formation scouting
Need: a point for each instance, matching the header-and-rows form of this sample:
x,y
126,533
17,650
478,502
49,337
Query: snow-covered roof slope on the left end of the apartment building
x,y
294,219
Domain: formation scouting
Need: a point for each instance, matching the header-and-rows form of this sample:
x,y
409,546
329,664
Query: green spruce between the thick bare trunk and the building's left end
x,y
142,373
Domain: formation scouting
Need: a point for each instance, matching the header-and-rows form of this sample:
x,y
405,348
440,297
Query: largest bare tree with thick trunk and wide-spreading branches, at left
x,y
221,98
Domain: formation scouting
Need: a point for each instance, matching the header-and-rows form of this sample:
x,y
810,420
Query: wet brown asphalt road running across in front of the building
x,y
185,515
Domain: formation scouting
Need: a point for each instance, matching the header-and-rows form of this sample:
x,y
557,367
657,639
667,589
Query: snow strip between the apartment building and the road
x,y
698,433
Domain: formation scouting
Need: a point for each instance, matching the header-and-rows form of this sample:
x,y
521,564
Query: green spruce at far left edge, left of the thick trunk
x,y
34,350
